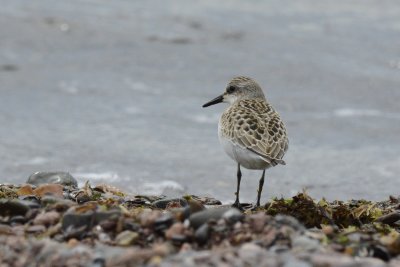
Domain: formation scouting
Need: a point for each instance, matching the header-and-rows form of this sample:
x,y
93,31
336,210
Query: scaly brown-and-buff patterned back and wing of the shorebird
x,y
256,126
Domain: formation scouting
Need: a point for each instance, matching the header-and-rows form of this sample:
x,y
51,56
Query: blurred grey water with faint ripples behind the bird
x,y
111,91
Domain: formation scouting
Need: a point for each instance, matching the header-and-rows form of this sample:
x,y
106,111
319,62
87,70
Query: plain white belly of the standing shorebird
x,y
243,156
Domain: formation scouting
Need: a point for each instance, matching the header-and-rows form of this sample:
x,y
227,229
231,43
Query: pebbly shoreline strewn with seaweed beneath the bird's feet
x,y
49,223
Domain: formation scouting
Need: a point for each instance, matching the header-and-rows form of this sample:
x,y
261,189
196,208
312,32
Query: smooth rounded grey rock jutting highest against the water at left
x,y
62,178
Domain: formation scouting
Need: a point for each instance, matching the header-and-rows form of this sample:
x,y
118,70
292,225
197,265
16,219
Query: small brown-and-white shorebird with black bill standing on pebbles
x,y
250,130
